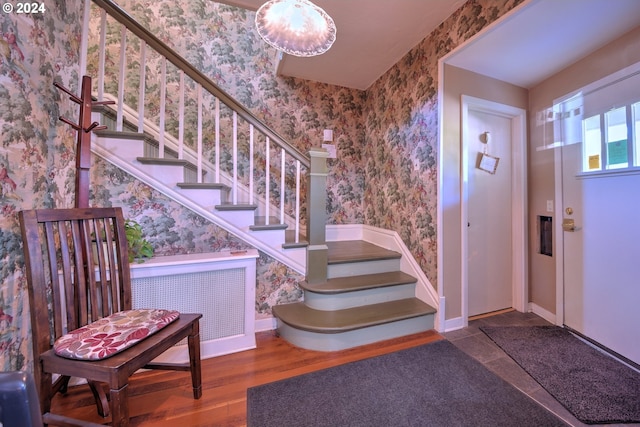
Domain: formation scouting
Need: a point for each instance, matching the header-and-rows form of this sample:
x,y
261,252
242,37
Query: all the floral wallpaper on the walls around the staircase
x,y
385,175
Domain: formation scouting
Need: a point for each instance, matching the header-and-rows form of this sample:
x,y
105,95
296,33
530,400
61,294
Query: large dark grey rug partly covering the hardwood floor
x,y
430,385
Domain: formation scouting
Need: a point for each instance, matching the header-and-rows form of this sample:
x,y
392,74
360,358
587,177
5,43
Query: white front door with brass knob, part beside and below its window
x,y
601,256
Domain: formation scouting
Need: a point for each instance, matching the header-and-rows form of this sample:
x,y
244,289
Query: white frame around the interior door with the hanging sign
x,y
519,273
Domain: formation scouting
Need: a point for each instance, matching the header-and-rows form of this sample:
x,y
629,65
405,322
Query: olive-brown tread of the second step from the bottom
x,y
358,283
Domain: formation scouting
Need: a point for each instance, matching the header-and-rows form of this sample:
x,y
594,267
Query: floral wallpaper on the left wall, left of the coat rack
x,y
37,160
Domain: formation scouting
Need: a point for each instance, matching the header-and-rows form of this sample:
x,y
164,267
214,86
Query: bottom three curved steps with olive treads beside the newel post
x,y
365,299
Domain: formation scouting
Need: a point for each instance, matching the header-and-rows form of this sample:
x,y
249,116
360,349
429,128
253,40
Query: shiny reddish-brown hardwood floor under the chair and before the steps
x,y
164,398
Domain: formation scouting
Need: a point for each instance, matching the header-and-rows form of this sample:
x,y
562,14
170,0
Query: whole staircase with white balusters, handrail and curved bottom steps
x,y
367,296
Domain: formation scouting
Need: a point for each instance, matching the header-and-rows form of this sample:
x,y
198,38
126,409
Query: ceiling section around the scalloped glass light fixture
x,y
372,35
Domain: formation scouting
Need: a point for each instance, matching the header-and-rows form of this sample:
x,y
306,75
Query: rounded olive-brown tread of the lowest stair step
x,y
299,316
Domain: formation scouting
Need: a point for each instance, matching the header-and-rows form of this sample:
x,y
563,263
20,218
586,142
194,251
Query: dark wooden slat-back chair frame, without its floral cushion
x,y
77,269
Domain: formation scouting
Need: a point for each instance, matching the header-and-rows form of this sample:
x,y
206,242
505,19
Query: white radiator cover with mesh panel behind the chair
x,y
219,285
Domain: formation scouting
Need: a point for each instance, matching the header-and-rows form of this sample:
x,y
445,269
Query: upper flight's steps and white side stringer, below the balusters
x,y
176,178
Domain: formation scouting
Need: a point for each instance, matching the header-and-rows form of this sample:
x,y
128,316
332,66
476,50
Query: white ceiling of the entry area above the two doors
x,y
542,37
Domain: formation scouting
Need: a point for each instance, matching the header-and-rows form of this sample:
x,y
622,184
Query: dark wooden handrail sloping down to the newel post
x,y
132,25
